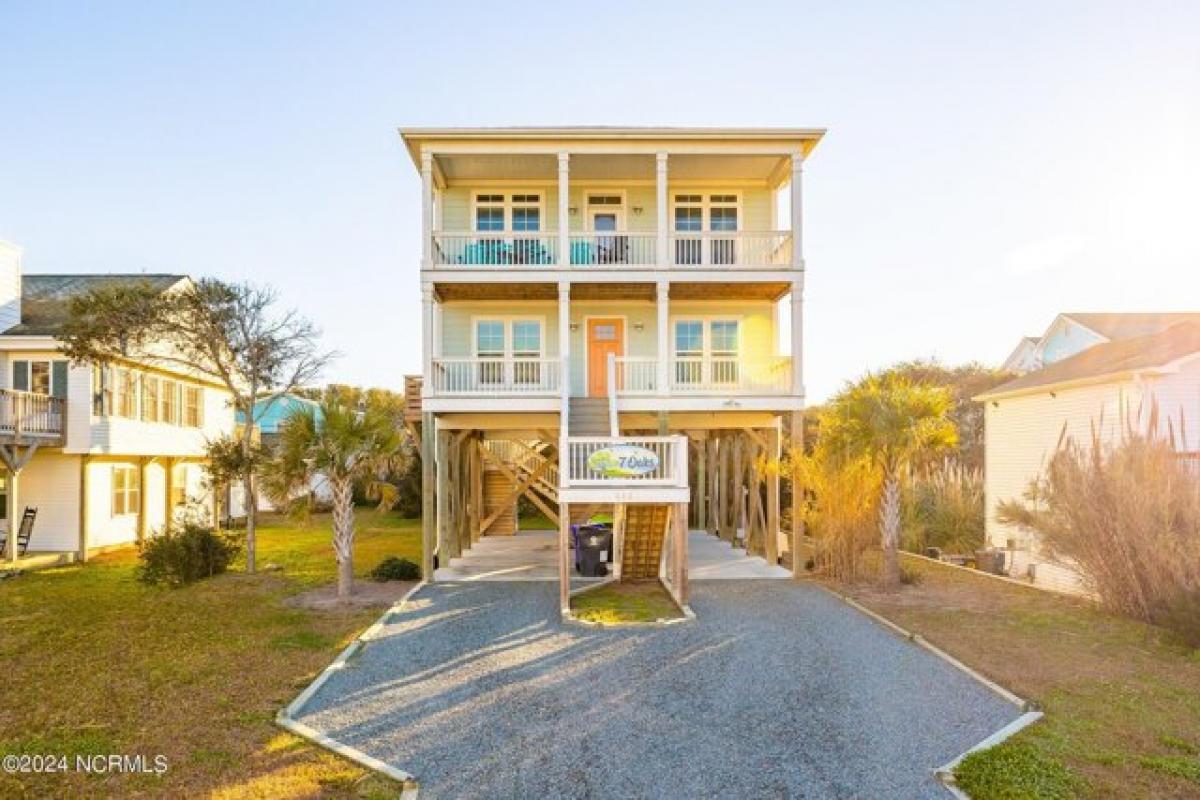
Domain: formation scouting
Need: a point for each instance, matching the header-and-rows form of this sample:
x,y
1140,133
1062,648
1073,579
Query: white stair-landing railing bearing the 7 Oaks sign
x,y
670,461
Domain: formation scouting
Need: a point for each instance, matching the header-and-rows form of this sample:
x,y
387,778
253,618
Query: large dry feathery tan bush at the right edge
x,y
1127,516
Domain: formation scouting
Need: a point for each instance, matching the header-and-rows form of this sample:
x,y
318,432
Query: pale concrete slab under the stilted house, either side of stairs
x,y
533,556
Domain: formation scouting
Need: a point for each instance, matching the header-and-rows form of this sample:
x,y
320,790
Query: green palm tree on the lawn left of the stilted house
x,y
341,447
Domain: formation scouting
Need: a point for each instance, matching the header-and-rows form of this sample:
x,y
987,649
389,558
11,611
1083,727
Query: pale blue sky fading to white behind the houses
x,y
985,170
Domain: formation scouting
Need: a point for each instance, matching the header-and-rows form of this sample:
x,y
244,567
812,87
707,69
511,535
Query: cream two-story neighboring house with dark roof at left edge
x,y
105,455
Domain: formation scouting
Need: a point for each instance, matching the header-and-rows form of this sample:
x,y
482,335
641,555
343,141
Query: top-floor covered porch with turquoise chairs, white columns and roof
x,y
500,203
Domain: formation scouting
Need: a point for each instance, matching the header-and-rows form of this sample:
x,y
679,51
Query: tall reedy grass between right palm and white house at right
x,y
944,507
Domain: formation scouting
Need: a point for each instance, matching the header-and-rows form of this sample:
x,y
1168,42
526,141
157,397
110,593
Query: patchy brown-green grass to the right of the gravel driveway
x,y
1120,697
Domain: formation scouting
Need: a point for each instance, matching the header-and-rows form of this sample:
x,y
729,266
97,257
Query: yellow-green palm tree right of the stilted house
x,y
892,423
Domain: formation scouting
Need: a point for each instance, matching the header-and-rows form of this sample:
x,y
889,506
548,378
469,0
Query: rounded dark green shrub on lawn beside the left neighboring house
x,y
185,554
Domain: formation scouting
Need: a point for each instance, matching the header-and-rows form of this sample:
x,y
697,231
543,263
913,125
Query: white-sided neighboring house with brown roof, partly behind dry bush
x,y
1102,371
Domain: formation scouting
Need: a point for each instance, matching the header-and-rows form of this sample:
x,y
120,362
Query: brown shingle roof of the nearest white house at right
x,y
1109,360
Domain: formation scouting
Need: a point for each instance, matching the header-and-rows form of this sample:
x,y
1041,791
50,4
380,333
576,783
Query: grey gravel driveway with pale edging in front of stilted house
x,y
778,690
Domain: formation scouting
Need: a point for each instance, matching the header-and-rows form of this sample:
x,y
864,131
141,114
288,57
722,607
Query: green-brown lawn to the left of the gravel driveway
x,y
98,664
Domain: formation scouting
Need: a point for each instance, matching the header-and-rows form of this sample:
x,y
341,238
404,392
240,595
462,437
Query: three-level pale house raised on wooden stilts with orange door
x,y
635,293
